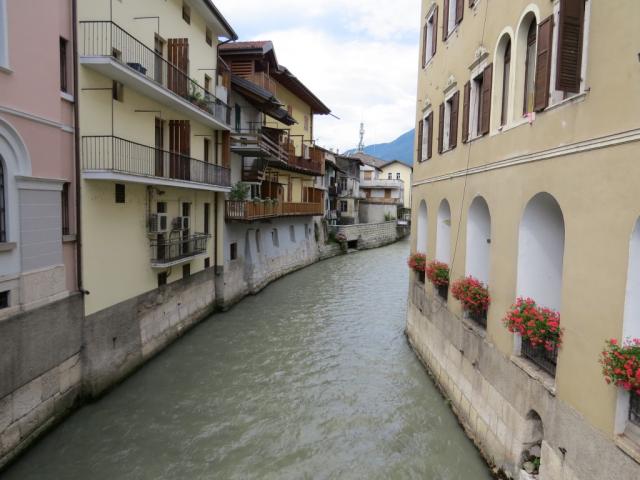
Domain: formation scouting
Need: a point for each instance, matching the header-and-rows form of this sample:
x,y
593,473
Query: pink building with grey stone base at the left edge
x,y
40,307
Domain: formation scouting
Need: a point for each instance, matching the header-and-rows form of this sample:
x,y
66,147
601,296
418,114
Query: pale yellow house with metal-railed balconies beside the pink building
x,y
155,168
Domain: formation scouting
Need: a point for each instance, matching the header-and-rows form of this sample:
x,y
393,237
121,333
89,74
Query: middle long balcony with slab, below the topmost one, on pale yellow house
x,y
116,159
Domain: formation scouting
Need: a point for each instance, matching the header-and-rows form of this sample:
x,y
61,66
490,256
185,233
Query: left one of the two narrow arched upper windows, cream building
x,y
503,79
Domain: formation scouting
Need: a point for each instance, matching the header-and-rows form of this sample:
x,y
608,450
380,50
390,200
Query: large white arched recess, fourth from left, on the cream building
x,y
541,251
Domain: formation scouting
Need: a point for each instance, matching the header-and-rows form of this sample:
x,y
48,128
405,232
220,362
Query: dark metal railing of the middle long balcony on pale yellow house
x,y
109,153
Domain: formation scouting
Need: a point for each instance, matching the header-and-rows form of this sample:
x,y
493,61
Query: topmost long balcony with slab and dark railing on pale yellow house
x,y
114,53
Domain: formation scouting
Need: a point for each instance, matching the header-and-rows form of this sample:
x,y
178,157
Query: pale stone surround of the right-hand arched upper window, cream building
x,y
529,19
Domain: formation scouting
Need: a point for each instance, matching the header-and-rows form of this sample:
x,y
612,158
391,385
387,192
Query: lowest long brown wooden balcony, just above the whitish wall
x,y
249,211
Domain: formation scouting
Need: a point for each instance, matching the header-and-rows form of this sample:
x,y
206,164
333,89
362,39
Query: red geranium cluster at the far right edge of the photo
x,y
621,364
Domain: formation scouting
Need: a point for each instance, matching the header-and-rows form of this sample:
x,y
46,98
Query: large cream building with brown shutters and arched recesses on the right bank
x,y
526,178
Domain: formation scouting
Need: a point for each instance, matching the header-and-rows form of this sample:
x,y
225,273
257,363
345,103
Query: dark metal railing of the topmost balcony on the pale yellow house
x,y
107,39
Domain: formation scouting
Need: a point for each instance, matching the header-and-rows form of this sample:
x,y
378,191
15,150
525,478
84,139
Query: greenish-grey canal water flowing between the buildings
x,y
312,378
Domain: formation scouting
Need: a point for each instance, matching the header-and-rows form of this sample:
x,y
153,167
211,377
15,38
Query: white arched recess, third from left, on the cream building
x,y
478,240
